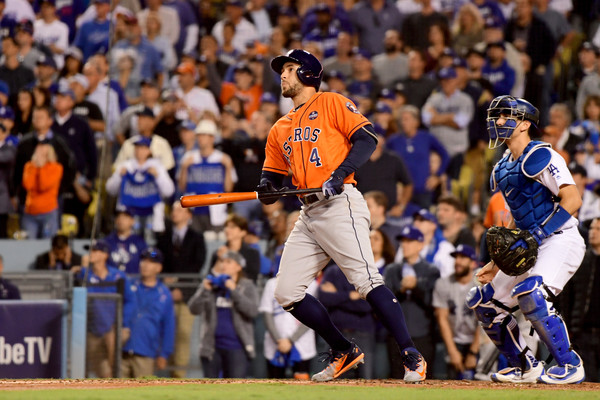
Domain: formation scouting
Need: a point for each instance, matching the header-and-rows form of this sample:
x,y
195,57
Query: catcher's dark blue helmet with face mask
x,y
514,110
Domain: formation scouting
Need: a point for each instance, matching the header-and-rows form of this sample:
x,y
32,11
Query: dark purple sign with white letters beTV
x,y
31,339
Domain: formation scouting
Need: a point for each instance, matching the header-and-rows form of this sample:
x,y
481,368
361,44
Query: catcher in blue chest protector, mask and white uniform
x,y
530,265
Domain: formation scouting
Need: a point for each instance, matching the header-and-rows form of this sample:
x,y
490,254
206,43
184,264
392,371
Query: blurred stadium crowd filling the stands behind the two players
x,y
111,110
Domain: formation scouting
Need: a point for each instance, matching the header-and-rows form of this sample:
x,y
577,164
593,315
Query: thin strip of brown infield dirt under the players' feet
x,y
38,384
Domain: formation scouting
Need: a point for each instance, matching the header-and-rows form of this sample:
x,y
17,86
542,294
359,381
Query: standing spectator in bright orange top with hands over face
x,y
41,180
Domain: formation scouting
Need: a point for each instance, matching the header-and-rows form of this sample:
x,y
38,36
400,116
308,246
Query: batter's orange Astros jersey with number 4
x,y
313,140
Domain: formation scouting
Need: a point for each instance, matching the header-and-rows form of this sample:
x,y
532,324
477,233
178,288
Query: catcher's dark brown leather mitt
x,y
514,251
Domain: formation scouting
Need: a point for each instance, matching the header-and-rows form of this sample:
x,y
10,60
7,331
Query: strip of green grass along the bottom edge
x,y
282,391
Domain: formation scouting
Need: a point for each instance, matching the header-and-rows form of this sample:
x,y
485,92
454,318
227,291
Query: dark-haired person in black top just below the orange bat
x,y
236,229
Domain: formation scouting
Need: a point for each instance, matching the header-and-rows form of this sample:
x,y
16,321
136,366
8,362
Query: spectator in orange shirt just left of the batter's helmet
x,y
245,87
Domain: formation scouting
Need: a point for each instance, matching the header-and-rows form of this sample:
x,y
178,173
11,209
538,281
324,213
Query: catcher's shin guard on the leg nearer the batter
x,y
504,334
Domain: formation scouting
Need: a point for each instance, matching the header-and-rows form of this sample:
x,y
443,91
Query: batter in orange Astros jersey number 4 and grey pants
x,y
323,141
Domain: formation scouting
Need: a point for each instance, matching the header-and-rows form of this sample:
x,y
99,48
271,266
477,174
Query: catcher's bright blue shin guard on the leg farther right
x,y
530,294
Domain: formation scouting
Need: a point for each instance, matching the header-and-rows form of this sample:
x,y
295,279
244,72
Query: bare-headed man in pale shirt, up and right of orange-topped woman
x,y
97,94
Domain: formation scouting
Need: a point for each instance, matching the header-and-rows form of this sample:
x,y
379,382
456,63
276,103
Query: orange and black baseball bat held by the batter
x,y
199,200
